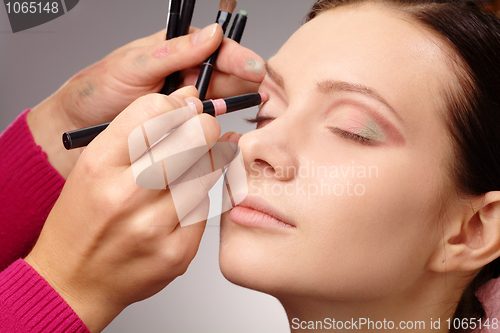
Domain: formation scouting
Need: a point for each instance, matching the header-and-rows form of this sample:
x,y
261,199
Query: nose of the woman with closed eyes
x,y
268,153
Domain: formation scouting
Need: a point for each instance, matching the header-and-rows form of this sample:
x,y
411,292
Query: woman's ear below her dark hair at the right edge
x,y
471,238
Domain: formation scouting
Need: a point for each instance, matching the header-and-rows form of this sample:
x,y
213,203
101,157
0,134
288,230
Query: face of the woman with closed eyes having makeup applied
x,y
350,160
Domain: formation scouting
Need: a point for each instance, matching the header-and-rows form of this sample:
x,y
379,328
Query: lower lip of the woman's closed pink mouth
x,y
254,219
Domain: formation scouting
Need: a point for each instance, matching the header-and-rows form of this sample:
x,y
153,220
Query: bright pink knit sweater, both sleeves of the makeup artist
x,y
29,187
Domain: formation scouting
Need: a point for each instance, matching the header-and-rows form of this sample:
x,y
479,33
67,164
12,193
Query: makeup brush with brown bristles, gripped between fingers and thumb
x,y
226,8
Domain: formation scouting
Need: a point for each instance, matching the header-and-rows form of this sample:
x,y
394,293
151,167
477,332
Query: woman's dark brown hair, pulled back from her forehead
x,y
473,108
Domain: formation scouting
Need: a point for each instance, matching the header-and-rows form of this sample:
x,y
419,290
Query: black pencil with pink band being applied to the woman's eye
x,y
82,137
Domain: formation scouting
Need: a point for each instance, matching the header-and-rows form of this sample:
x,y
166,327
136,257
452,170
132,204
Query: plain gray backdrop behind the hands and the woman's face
x,y
34,63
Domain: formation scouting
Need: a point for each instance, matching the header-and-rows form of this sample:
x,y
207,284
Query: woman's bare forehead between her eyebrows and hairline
x,y
372,45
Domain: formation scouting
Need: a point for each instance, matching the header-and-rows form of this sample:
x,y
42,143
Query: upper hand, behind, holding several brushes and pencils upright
x,y
98,93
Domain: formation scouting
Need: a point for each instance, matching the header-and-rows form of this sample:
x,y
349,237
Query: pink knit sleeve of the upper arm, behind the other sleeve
x,y
29,187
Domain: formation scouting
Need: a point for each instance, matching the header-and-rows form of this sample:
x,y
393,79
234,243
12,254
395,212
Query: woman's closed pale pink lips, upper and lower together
x,y
254,212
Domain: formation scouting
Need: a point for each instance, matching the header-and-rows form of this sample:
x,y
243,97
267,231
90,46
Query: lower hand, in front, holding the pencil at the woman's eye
x,y
107,242
